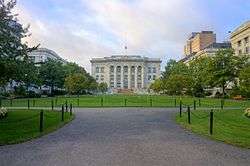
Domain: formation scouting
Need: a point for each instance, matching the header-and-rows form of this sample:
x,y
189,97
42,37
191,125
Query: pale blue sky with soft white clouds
x,y
79,30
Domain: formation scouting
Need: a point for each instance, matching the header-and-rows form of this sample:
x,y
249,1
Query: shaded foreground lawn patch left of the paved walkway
x,y
23,125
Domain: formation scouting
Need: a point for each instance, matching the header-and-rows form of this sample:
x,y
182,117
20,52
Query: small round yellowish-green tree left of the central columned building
x,y
76,83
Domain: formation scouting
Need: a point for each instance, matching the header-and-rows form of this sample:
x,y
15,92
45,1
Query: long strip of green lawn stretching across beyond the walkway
x,y
123,100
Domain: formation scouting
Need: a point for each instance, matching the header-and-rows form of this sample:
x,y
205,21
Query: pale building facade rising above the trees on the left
x,y
41,55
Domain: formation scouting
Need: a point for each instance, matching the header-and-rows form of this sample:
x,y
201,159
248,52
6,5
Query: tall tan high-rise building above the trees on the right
x,y
198,41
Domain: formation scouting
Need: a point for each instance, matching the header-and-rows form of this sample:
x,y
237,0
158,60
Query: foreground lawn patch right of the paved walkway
x,y
230,126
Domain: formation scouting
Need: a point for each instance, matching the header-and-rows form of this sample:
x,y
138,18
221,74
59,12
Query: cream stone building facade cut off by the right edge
x,y
240,39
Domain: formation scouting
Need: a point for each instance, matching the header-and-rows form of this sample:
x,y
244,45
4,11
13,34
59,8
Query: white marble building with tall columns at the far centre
x,y
122,72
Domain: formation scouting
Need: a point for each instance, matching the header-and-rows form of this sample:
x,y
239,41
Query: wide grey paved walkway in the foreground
x,y
122,137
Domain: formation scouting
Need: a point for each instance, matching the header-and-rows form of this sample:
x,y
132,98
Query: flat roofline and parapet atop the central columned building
x,y
136,58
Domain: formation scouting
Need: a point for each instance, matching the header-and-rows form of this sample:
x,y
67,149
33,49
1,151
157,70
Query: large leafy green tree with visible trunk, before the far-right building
x,y
224,68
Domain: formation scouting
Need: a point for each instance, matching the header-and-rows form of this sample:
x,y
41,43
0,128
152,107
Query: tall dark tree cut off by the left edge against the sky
x,y
12,49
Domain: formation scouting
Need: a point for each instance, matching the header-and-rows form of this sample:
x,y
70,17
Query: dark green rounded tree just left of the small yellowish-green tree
x,y
52,74
